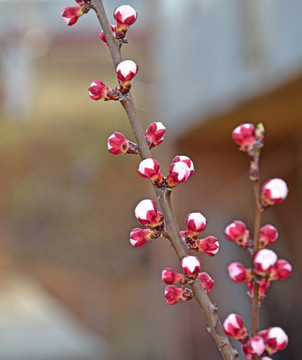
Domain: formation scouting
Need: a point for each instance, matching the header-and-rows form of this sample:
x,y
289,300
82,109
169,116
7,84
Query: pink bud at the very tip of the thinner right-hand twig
x,y
244,135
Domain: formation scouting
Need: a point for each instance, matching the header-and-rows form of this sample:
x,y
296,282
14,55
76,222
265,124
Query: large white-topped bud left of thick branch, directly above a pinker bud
x,y
147,215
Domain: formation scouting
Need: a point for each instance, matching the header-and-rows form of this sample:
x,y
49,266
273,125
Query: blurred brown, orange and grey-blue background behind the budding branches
x,y
71,285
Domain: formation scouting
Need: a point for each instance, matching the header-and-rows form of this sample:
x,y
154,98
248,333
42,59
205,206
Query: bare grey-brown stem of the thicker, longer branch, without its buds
x,y
164,198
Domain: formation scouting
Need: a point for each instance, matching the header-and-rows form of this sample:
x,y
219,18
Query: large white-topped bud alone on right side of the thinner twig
x,y
274,191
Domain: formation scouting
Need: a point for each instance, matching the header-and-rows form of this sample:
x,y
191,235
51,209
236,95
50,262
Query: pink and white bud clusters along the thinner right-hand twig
x,y
266,267
